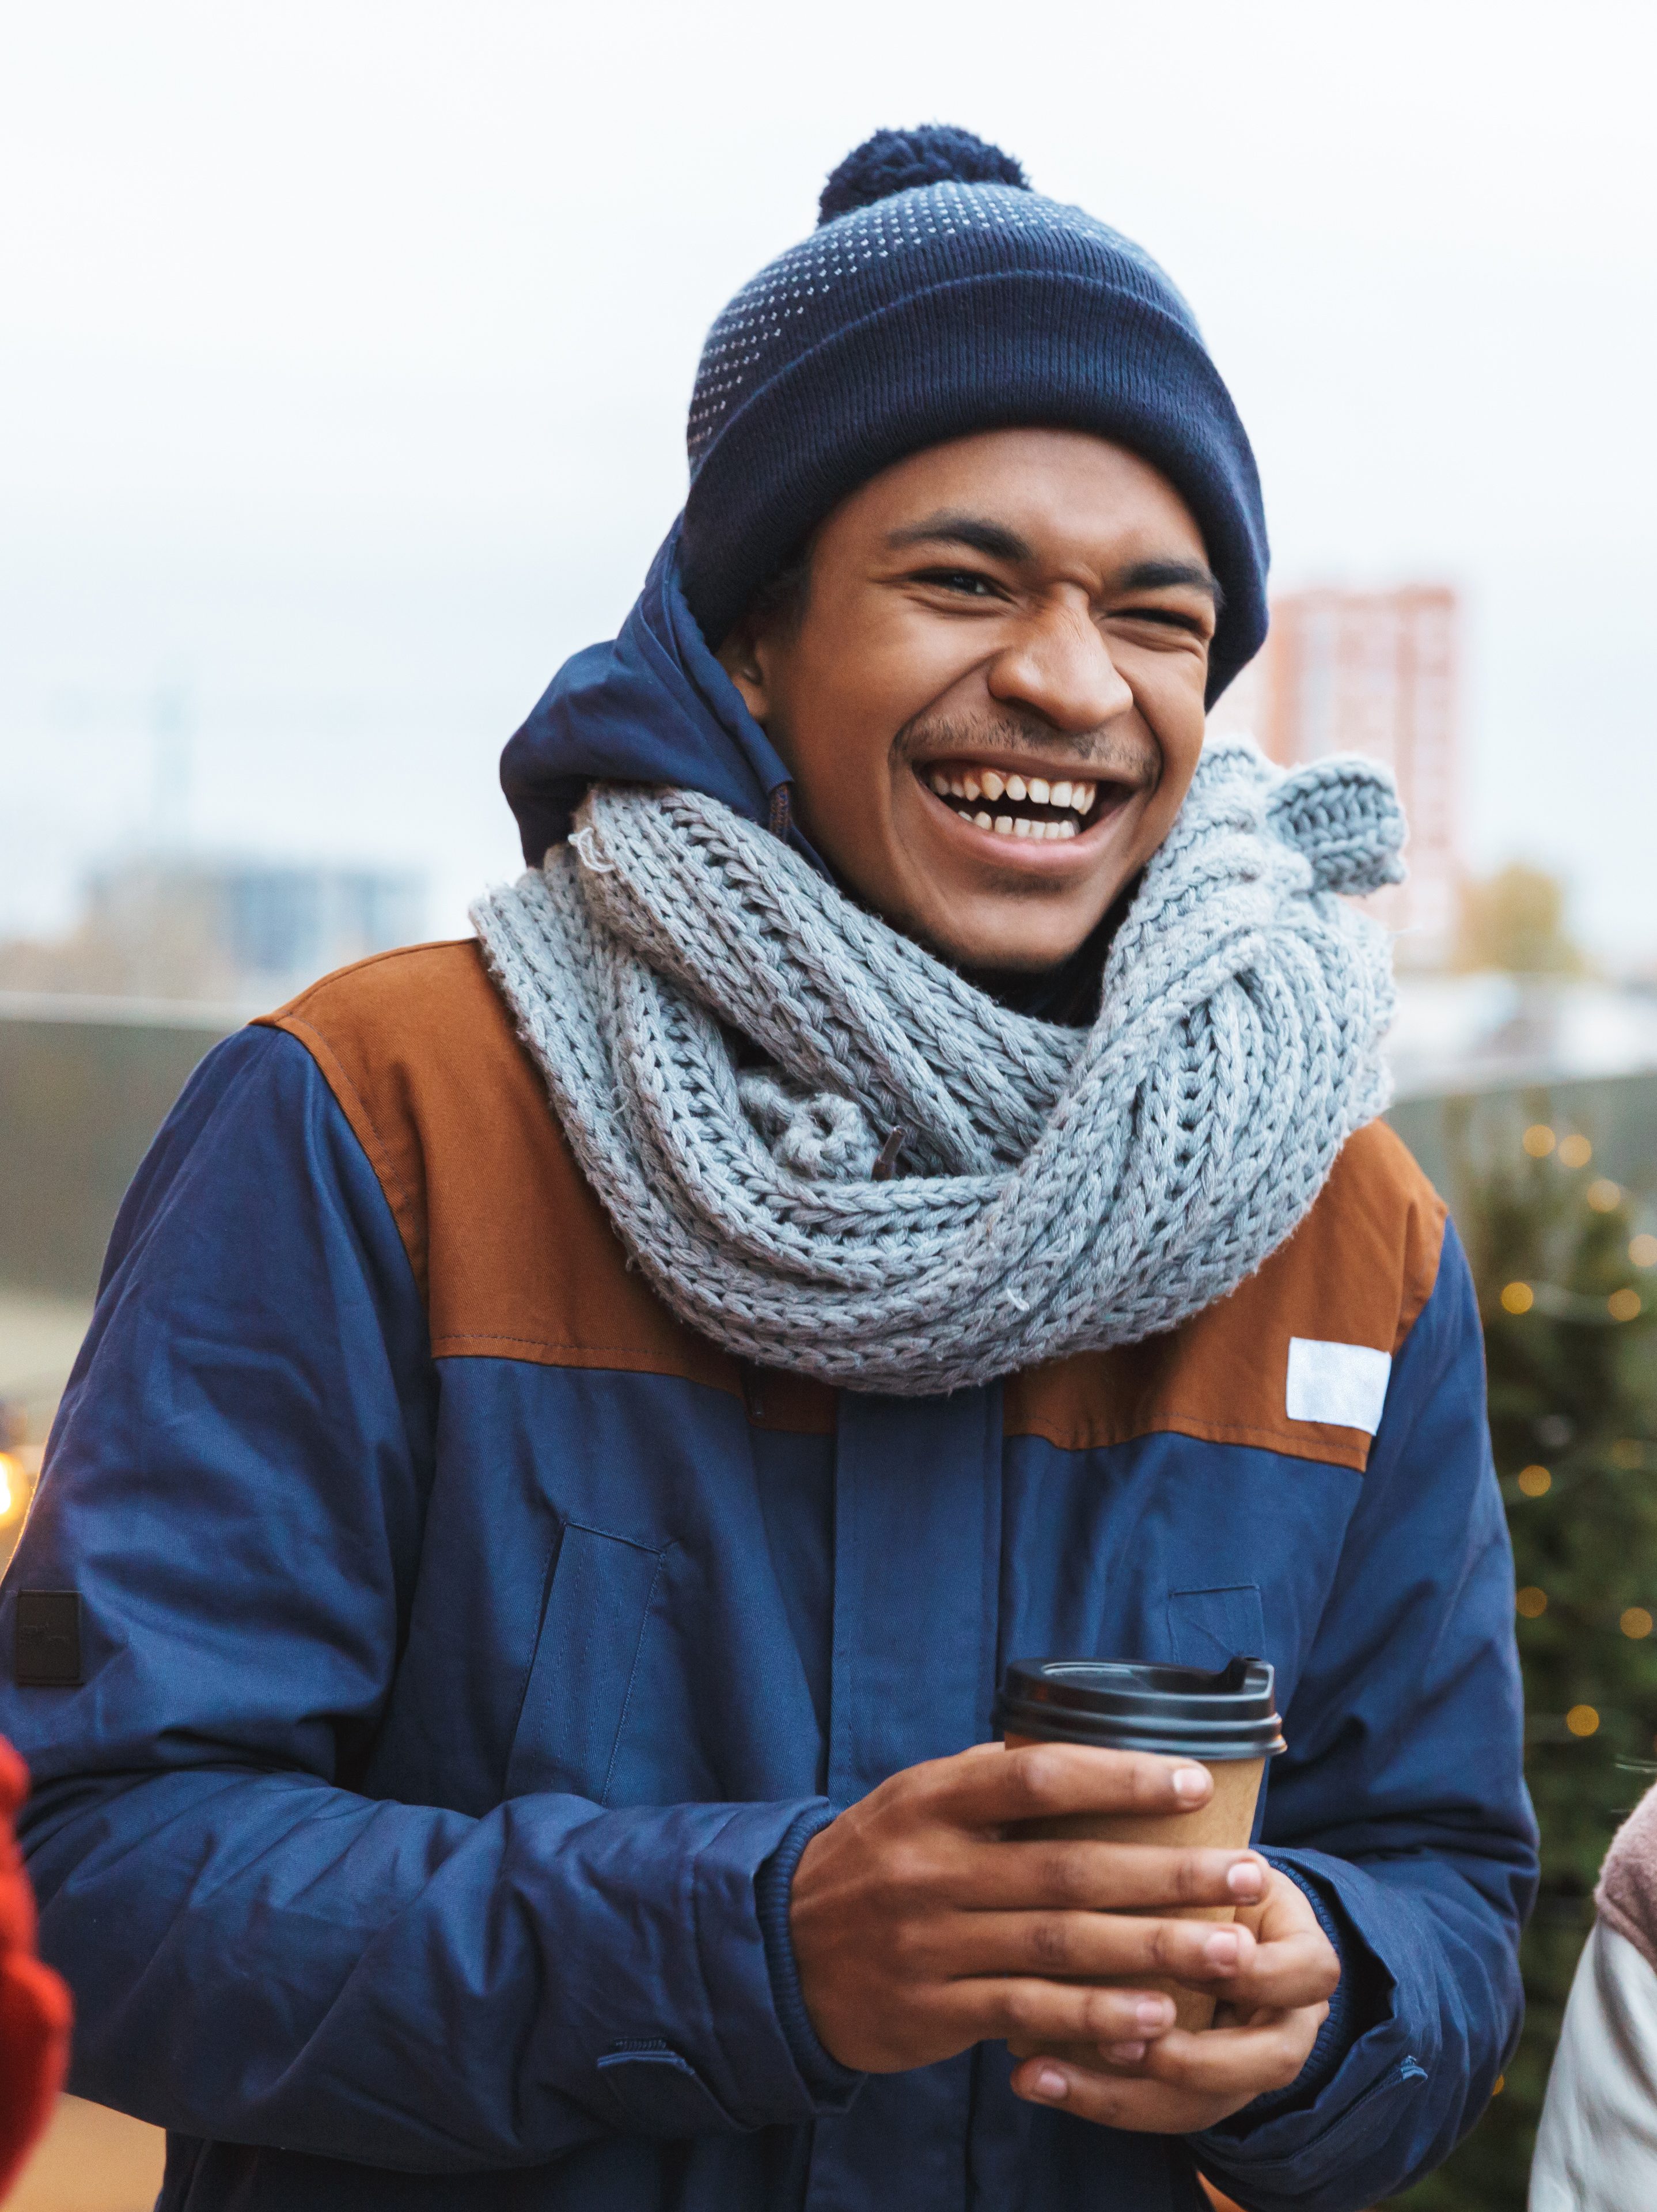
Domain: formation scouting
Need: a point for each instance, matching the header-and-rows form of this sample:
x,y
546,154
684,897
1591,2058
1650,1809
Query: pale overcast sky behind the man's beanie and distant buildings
x,y
346,348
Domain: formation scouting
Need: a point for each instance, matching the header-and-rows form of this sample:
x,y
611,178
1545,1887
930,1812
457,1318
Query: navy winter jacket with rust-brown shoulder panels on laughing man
x,y
468,1653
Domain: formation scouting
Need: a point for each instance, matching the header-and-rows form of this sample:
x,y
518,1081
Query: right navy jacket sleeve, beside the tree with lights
x,y
1401,1804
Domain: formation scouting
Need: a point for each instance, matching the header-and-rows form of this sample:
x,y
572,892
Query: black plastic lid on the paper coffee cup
x,y
1134,1707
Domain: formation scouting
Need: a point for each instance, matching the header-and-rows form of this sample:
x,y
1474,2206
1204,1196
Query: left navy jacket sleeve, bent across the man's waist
x,y
260,1952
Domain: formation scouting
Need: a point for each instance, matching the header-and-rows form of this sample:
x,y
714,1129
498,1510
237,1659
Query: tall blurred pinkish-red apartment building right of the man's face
x,y
1375,671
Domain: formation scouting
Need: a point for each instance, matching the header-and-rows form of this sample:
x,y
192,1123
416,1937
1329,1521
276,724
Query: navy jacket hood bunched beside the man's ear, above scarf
x,y
649,707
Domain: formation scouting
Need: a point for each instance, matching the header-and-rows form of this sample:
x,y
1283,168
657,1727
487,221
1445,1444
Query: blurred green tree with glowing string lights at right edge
x,y
1572,1344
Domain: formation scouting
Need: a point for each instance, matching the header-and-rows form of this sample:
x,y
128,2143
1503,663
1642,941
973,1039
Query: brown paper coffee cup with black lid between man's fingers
x,y
1224,1722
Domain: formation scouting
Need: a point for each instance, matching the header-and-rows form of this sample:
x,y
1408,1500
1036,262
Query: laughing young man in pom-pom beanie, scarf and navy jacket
x,y
579,1423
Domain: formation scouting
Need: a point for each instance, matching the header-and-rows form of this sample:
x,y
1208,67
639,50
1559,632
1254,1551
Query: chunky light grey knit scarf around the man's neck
x,y
835,1156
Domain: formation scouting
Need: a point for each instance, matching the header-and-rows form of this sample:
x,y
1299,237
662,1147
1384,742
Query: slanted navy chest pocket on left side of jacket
x,y
587,1658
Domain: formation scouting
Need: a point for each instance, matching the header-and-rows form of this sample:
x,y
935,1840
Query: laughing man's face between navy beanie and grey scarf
x,y
992,700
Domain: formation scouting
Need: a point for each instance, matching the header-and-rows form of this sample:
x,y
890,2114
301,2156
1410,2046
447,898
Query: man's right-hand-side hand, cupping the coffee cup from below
x,y
1273,2005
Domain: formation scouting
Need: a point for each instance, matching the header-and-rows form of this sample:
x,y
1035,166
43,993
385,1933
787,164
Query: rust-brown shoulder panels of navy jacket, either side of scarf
x,y
517,1258
